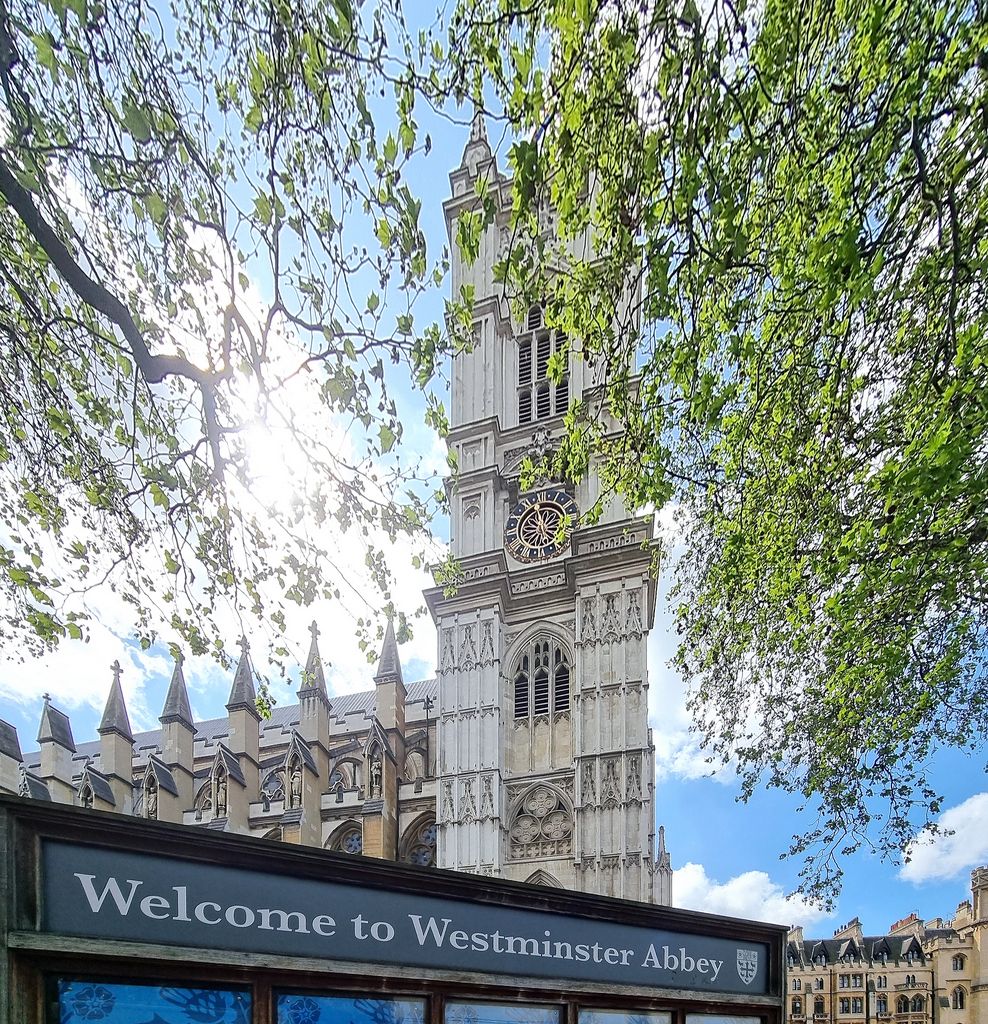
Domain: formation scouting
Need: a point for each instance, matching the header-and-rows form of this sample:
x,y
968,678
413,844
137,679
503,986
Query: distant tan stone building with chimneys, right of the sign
x,y
920,973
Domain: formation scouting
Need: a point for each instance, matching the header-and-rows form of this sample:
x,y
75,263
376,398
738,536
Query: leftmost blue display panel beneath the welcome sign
x,y
82,1002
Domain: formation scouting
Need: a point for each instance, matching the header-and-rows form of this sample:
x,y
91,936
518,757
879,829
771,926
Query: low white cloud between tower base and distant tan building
x,y
752,895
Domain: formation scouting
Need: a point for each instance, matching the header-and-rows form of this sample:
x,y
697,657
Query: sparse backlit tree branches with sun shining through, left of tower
x,y
203,221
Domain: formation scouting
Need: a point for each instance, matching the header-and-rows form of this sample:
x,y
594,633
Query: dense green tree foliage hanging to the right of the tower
x,y
790,210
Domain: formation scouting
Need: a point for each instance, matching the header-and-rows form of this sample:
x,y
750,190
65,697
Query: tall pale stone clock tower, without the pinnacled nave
x,y
546,764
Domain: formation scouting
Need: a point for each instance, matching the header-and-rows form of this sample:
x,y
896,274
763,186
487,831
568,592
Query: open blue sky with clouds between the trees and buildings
x,y
726,855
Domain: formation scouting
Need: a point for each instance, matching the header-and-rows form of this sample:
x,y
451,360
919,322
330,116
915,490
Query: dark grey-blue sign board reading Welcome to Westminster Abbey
x,y
120,895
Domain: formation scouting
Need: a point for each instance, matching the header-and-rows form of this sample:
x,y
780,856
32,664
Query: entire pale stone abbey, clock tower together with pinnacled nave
x,y
530,757
